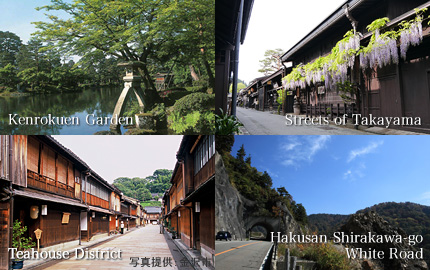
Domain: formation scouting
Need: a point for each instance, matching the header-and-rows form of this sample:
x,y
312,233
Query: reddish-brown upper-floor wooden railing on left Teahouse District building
x,y
45,183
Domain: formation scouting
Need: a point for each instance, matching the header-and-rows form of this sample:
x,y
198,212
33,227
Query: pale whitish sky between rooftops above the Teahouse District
x,y
124,156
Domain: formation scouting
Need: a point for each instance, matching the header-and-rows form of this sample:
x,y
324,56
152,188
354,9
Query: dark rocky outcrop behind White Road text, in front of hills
x,y
371,222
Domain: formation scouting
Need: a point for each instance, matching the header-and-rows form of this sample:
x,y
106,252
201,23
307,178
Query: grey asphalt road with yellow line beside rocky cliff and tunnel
x,y
236,255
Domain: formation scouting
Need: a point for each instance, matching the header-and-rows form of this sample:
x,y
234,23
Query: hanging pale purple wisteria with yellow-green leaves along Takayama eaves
x,y
382,50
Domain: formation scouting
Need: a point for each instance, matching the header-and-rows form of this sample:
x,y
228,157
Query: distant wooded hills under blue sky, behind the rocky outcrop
x,y
413,218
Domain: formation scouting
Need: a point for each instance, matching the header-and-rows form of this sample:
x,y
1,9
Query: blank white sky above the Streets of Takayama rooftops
x,y
279,24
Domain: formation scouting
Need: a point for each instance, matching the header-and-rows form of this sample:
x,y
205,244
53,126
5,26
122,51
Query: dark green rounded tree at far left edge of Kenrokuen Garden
x,y
9,47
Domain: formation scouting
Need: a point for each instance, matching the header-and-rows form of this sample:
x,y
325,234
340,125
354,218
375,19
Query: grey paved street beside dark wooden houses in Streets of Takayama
x,y
264,123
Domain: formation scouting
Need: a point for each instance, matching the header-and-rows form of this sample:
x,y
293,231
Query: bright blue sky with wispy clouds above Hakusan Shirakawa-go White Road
x,y
343,174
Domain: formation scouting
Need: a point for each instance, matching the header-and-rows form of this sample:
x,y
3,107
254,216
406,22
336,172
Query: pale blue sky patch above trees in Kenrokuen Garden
x,y
17,15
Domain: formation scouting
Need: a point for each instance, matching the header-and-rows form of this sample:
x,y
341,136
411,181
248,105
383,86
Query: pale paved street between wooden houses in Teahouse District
x,y
143,242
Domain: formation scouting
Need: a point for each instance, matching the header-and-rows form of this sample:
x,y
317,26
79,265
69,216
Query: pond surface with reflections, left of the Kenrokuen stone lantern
x,y
100,102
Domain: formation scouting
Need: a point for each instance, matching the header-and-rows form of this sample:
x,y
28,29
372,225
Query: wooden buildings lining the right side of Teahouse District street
x,y
190,201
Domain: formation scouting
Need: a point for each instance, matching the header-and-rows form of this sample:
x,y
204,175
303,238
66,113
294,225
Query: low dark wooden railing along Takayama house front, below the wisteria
x,y
329,110
